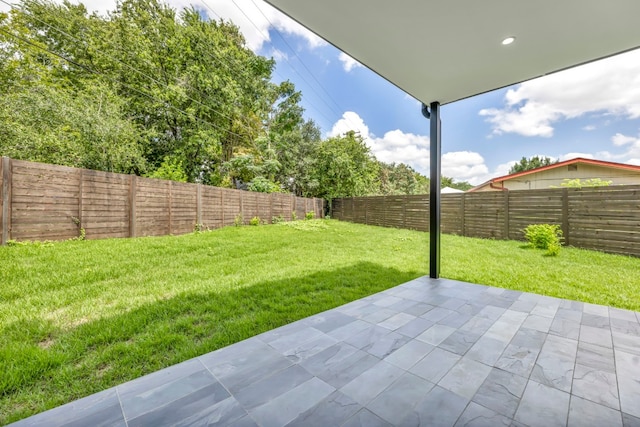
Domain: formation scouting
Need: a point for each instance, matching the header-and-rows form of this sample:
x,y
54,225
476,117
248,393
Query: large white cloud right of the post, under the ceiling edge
x,y
610,86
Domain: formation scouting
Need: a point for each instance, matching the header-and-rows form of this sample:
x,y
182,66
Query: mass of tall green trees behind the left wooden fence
x,y
157,92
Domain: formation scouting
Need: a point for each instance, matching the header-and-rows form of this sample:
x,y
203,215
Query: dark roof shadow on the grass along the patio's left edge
x,y
106,352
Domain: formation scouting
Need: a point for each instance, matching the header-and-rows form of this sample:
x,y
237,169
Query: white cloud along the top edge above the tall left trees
x,y
254,17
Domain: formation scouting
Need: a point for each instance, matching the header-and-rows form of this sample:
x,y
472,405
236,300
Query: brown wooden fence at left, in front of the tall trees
x,y
41,201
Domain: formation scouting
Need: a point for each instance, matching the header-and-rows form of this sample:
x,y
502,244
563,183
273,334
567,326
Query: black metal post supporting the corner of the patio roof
x,y
435,152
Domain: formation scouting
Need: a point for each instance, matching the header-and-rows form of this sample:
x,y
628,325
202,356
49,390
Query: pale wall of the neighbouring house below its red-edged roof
x,y
556,176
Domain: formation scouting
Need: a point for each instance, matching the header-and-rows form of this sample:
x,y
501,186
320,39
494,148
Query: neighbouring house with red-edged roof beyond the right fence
x,y
554,175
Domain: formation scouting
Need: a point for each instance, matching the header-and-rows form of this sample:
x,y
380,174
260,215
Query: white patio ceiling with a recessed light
x,y
446,50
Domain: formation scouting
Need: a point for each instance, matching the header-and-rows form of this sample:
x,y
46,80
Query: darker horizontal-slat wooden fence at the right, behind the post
x,y
605,218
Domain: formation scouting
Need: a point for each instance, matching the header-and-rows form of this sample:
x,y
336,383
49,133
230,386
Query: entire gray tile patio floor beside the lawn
x,y
428,352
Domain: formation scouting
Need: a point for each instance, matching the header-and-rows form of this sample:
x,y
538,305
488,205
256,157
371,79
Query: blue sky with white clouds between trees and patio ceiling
x,y
591,111
